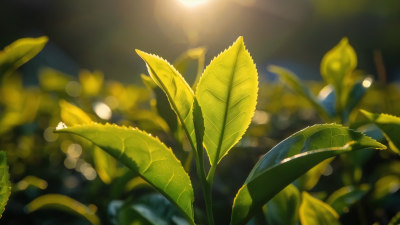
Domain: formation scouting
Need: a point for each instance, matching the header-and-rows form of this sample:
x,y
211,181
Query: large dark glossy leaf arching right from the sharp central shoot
x,y
293,157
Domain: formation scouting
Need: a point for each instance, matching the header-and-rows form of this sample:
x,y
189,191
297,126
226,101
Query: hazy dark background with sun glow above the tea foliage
x,y
99,34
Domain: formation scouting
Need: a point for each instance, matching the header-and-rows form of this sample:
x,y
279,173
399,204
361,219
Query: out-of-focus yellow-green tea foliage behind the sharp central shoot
x,y
360,184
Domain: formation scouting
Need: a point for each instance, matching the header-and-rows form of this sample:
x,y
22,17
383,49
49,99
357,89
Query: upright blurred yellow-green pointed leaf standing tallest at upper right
x,y
337,63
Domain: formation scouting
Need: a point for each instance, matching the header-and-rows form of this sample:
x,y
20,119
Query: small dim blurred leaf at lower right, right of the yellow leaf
x,y
343,198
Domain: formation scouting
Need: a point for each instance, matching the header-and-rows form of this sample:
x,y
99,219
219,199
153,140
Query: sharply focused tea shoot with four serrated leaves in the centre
x,y
214,119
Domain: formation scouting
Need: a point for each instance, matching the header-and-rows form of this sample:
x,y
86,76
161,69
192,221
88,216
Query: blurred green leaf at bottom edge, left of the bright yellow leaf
x,y
283,208
